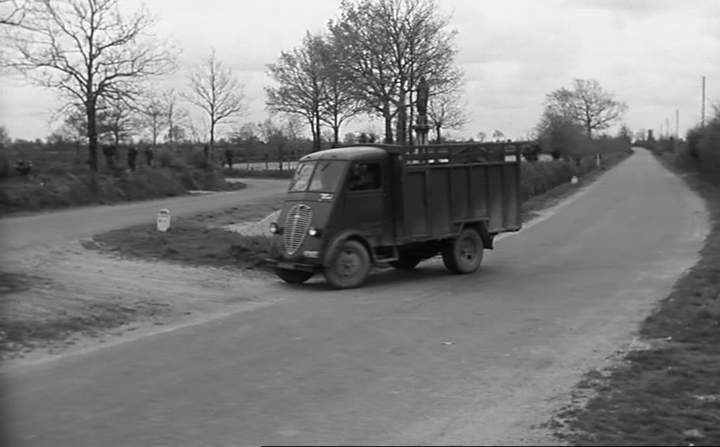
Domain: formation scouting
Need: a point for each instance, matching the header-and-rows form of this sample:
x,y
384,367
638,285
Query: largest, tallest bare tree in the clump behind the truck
x,y
384,47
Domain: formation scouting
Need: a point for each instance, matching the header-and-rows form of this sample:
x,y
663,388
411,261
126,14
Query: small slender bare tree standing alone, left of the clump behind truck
x,y
215,90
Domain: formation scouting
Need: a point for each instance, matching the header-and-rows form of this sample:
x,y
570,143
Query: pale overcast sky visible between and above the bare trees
x,y
650,54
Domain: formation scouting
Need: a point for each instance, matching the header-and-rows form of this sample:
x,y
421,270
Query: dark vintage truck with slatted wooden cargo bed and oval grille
x,y
348,209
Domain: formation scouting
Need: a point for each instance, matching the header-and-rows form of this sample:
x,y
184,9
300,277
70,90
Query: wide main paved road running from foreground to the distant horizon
x,y
414,357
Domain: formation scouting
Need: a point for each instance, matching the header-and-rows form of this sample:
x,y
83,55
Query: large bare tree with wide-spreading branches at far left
x,y
89,51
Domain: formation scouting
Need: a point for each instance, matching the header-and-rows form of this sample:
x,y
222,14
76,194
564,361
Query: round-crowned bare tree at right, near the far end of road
x,y
586,104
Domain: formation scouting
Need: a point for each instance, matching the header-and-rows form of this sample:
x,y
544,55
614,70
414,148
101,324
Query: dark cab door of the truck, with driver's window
x,y
367,206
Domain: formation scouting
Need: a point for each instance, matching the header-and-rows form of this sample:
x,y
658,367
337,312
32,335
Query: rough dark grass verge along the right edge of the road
x,y
668,393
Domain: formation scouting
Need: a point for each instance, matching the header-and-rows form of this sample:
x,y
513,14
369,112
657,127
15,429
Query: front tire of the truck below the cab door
x,y
349,266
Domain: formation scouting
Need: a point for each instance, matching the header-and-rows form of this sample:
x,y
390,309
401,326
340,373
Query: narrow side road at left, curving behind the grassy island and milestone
x,y
47,228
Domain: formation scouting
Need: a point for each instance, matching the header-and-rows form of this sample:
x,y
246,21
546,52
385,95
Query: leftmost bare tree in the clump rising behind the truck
x,y
301,78
